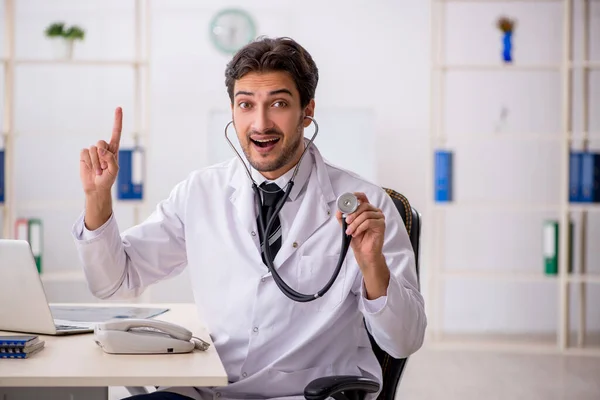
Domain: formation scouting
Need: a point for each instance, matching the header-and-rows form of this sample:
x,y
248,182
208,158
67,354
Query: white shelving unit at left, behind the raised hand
x,y
140,64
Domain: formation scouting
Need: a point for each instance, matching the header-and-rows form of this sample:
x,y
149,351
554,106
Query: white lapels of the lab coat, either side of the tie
x,y
317,205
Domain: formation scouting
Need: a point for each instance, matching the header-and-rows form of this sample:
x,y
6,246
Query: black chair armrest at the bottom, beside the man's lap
x,y
322,388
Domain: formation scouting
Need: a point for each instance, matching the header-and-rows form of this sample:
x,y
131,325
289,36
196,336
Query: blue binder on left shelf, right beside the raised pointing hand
x,y
130,181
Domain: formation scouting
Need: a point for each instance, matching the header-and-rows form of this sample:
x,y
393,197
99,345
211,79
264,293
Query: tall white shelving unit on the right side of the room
x,y
438,275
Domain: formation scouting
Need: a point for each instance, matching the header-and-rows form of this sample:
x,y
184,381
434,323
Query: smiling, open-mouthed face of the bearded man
x,y
269,121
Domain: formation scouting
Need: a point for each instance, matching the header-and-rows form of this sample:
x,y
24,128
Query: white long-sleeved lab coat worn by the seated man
x,y
270,346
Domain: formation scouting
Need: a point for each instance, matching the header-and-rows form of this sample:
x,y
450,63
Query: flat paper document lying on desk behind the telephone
x,y
101,314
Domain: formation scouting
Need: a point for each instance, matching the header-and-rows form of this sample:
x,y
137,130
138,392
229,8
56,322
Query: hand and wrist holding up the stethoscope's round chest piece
x,y
367,227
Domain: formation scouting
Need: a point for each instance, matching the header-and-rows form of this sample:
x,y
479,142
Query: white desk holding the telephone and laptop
x,y
76,361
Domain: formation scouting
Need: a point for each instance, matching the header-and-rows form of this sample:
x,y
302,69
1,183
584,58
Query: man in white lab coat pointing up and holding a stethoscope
x,y
270,345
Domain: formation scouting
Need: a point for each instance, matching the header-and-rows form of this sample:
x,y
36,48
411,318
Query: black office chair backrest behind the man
x,y
394,367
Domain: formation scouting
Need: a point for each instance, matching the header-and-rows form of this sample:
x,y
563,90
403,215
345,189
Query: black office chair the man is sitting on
x,y
355,387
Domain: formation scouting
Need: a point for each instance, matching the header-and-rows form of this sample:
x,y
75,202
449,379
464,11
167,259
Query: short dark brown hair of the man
x,y
278,54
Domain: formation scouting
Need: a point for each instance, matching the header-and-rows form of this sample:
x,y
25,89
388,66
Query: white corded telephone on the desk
x,y
145,336
